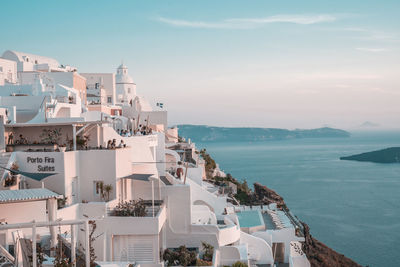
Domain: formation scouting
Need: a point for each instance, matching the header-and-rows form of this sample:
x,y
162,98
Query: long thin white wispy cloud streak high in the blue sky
x,y
248,23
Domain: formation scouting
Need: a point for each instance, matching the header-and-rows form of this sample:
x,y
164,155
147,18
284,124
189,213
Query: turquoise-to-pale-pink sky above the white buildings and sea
x,y
287,64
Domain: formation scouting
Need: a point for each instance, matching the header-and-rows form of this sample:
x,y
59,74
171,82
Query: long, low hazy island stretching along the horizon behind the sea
x,y
236,134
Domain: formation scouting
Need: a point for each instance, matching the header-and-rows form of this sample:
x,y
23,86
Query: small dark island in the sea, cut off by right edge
x,y
387,155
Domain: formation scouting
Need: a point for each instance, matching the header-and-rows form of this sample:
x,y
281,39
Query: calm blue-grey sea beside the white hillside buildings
x,y
353,207
